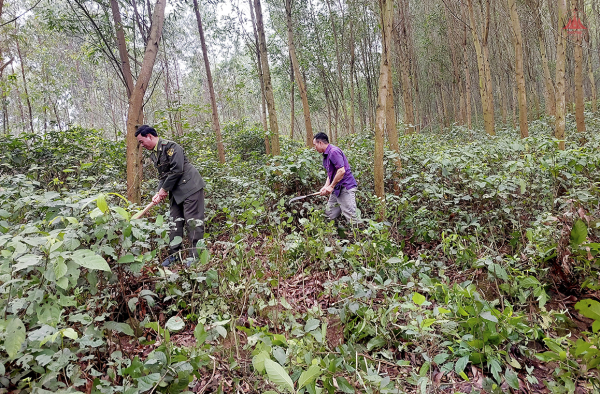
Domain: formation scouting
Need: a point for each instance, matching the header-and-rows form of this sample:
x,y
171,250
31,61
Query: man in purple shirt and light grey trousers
x,y
340,185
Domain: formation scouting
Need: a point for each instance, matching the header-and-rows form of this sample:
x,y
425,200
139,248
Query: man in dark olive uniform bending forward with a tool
x,y
181,182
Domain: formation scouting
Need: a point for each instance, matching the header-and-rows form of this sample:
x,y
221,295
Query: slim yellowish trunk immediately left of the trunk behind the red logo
x,y
561,43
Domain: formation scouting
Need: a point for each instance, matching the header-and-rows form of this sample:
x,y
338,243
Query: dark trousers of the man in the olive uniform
x,y
191,214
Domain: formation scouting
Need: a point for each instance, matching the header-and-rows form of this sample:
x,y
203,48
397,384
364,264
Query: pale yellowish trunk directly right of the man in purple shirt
x,y
385,7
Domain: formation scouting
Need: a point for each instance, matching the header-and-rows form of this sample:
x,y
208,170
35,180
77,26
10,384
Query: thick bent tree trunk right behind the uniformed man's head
x,y
135,114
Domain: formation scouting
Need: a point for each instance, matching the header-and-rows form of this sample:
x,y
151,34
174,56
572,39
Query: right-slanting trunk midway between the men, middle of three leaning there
x,y
275,150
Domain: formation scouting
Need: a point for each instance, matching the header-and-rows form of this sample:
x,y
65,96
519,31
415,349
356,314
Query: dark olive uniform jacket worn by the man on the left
x,y
175,174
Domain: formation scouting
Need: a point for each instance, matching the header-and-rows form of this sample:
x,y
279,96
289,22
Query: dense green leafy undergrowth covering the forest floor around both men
x,y
483,277
